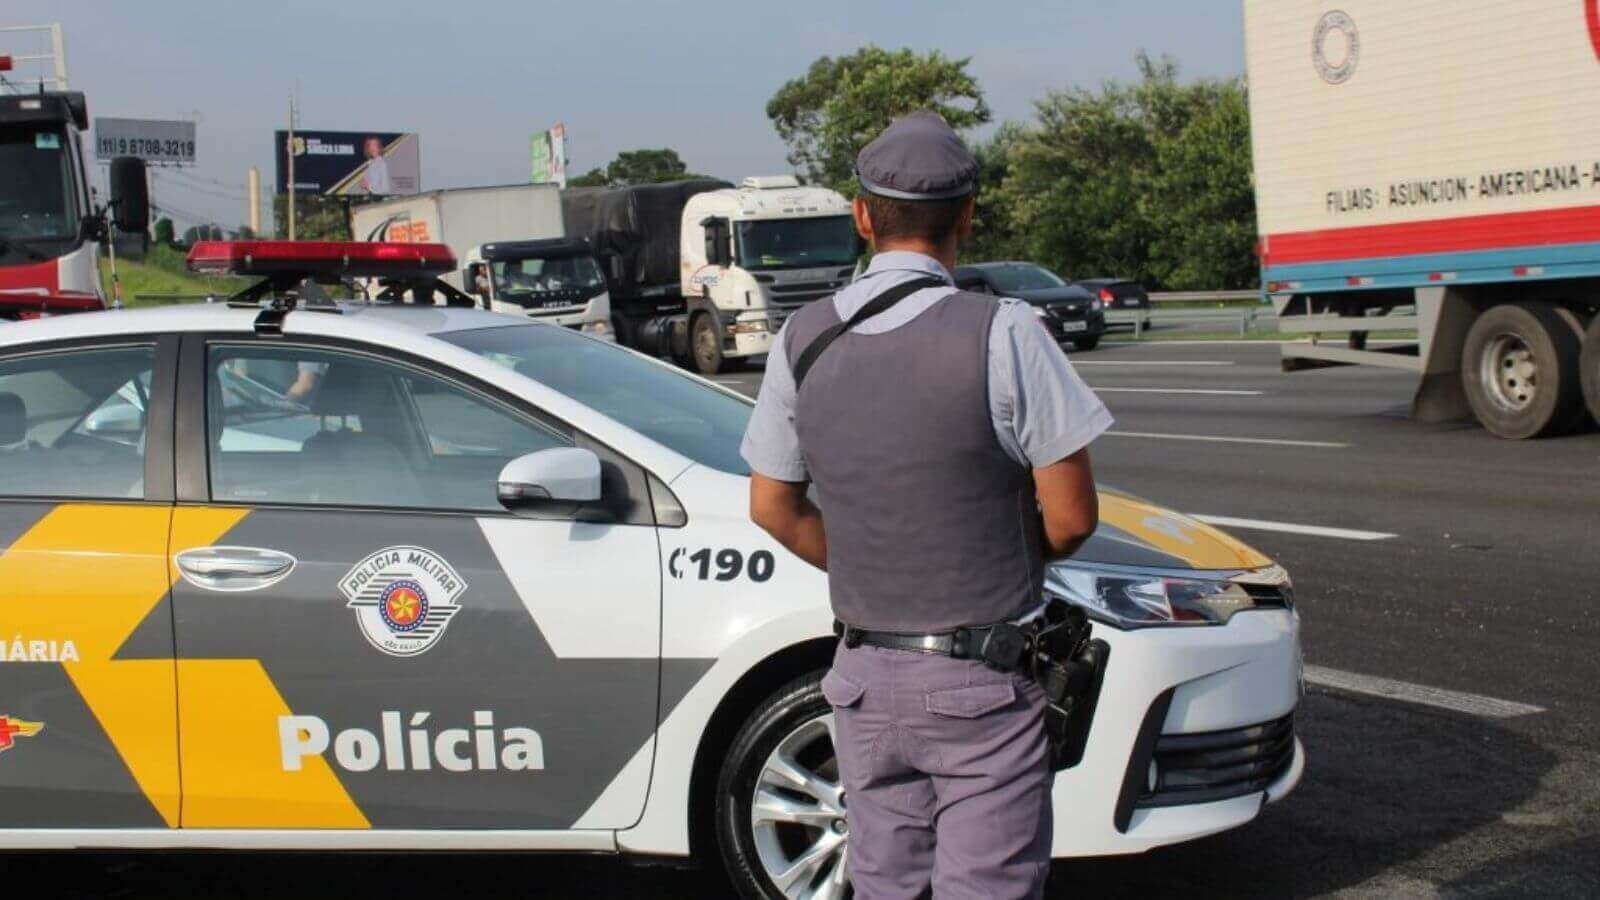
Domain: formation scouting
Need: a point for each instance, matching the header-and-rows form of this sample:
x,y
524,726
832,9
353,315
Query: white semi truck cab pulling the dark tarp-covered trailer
x,y
751,255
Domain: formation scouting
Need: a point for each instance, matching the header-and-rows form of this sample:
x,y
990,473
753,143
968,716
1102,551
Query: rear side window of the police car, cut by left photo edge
x,y
74,424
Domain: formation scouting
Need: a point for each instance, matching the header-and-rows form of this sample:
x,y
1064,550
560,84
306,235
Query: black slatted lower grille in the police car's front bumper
x,y
1217,766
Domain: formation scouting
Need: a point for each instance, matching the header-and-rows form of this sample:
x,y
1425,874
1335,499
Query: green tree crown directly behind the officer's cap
x,y
842,103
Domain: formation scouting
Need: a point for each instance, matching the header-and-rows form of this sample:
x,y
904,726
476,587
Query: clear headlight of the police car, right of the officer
x,y
1145,598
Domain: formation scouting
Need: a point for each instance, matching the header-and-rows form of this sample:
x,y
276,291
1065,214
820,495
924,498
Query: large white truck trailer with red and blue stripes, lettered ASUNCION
x,y
1436,167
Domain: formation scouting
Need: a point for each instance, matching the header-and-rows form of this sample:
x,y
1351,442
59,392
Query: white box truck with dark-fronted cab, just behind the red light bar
x,y
511,246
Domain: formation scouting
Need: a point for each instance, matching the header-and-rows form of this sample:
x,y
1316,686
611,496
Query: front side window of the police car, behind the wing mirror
x,y
310,427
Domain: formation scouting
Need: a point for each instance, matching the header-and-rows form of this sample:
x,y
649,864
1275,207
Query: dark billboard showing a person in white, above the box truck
x,y
351,164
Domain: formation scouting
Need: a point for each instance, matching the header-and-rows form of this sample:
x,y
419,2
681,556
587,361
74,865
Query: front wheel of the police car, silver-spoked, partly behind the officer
x,y
794,725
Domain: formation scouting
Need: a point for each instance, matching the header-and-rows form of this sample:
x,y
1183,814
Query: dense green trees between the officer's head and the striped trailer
x,y
1150,182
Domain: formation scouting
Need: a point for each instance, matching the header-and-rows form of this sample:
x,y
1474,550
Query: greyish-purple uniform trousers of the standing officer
x,y
946,774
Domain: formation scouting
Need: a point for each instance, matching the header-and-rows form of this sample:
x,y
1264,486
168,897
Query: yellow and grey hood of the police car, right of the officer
x,y
1137,532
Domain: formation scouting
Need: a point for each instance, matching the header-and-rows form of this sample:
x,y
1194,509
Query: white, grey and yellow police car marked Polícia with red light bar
x,y
297,574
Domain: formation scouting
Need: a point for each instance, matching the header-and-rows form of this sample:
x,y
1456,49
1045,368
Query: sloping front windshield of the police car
x,y
657,401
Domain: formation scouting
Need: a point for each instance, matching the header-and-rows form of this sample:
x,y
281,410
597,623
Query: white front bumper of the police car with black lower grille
x,y
1218,699
